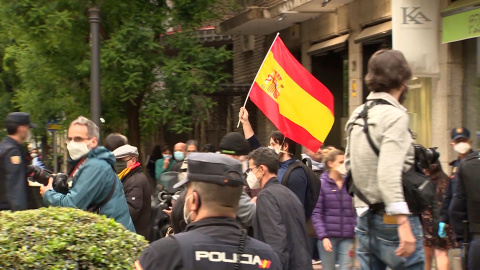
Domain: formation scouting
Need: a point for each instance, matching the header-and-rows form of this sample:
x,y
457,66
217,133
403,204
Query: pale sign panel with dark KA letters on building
x,y
415,31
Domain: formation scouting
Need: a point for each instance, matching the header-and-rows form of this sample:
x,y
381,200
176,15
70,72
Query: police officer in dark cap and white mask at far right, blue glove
x,y
462,144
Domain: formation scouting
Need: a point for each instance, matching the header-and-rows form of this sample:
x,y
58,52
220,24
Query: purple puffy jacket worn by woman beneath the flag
x,y
334,216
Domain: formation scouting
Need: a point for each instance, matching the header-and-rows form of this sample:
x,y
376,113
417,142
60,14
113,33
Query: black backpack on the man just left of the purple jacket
x,y
313,186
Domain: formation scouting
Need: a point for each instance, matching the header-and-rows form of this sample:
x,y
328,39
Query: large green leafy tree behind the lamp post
x,y
143,83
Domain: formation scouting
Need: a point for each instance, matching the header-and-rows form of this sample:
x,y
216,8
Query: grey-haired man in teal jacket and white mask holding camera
x,y
95,185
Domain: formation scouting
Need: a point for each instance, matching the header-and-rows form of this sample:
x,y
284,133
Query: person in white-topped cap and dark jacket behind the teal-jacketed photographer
x,y
136,187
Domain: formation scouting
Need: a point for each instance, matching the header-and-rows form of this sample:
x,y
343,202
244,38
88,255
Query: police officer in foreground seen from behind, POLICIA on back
x,y
212,240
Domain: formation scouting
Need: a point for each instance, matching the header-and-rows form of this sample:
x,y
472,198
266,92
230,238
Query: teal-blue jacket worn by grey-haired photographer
x,y
91,186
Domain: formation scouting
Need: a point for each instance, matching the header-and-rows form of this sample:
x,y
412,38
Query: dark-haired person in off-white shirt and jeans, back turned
x,y
387,233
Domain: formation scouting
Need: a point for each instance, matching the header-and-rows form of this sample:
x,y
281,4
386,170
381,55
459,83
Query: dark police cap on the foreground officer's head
x,y
213,168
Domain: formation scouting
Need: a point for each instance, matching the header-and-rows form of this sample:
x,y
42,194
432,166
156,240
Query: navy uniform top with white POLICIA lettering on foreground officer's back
x,y
210,243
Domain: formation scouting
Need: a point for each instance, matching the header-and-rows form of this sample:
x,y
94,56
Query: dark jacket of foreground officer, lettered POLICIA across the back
x,y
224,234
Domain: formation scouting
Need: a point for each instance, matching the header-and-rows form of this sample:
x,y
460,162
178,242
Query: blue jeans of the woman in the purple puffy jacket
x,y
341,249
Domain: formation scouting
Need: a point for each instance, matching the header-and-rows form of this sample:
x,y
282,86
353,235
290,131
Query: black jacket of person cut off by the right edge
x,y
466,201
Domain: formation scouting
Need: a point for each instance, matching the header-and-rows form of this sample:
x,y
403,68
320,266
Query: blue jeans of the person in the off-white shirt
x,y
380,249
